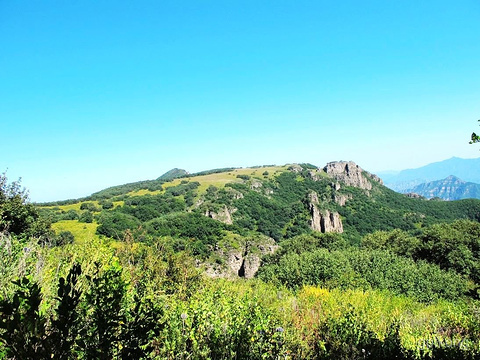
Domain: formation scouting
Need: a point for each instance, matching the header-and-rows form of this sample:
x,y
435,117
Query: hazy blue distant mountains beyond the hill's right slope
x,y
451,179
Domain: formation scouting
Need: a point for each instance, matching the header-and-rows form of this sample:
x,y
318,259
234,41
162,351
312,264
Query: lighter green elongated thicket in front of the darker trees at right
x,y
365,269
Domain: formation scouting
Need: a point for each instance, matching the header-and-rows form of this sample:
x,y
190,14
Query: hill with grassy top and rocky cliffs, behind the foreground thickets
x,y
212,212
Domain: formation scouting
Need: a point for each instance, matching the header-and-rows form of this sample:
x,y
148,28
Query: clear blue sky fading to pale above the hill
x,y
100,93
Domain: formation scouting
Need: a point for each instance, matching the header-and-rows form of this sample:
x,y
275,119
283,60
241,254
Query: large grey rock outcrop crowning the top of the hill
x,y
351,174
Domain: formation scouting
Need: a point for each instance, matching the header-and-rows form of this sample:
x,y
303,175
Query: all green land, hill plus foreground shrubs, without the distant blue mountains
x,y
291,262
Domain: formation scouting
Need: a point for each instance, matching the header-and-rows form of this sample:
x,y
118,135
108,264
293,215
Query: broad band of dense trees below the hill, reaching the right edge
x,y
440,262
